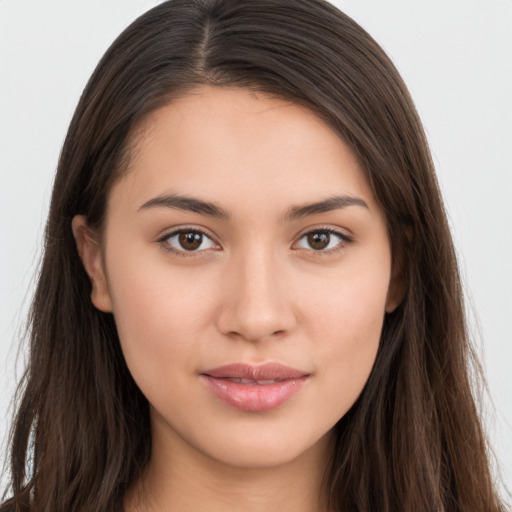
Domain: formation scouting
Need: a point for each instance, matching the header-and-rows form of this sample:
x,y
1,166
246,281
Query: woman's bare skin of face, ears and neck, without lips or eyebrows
x,y
254,291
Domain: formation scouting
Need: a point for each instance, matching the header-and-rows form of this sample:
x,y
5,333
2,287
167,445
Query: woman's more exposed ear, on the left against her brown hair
x,y
89,249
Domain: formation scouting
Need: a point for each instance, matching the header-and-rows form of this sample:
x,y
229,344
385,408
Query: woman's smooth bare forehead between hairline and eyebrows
x,y
215,141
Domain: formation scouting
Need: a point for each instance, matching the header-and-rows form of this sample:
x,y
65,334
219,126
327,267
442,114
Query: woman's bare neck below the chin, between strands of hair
x,y
179,479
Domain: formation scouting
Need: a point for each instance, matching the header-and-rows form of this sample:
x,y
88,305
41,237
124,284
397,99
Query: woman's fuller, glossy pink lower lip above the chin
x,y
254,397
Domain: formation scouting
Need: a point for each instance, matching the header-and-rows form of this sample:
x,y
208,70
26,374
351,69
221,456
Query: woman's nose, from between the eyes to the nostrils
x,y
258,300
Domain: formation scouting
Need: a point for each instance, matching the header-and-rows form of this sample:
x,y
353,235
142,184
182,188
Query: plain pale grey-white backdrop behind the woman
x,y
455,56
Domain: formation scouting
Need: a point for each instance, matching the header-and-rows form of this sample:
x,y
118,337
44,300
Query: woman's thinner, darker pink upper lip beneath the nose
x,y
267,371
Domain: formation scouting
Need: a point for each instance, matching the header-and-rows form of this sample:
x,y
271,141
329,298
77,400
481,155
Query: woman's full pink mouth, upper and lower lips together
x,y
258,396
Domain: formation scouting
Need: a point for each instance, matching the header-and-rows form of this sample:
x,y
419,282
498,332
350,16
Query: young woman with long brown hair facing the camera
x,y
249,296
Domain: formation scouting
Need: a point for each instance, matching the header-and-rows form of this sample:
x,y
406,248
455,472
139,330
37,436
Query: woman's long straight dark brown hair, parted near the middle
x,y
413,440
